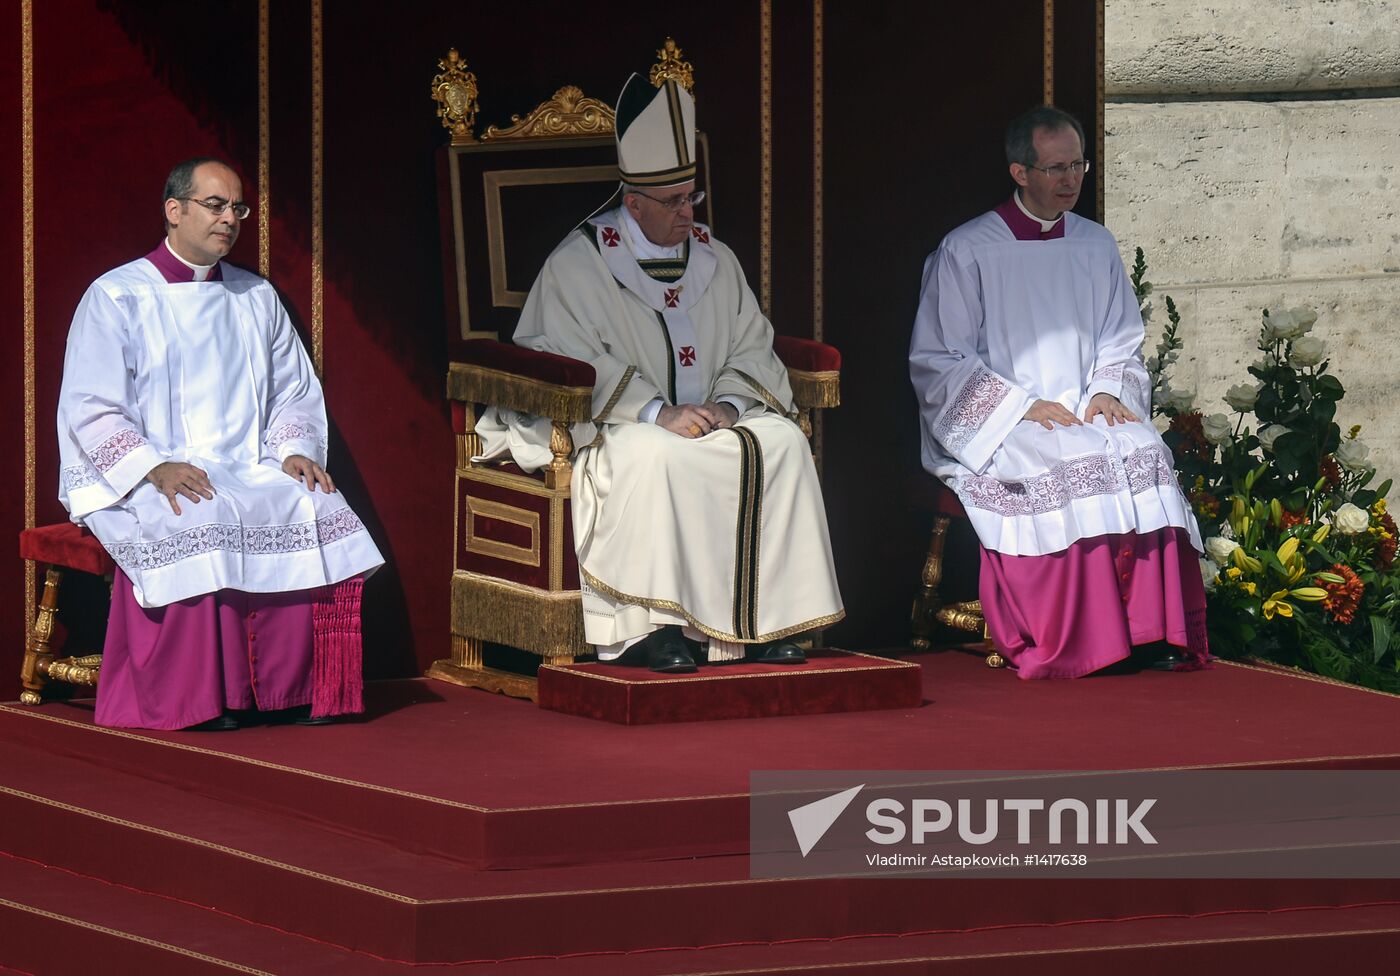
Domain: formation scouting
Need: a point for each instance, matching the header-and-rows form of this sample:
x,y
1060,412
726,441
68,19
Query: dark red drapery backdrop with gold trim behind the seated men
x,y
915,97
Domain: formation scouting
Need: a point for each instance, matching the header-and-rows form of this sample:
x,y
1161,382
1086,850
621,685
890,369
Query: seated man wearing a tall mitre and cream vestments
x,y
696,506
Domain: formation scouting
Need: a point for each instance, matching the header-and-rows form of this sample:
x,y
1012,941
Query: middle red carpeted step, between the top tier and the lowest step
x,y
358,894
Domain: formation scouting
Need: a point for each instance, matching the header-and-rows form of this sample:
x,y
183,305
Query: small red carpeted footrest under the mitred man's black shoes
x,y
831,681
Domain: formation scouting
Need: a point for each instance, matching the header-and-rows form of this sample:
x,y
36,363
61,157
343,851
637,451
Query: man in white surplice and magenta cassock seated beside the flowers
x,y
1027,358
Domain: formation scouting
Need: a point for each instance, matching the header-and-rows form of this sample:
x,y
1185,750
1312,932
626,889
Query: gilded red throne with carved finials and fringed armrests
x,y
506,200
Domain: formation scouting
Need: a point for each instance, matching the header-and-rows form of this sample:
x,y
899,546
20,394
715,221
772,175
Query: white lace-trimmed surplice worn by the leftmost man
x,y
209,373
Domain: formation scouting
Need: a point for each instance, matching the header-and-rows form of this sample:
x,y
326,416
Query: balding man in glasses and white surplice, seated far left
x,y
192,442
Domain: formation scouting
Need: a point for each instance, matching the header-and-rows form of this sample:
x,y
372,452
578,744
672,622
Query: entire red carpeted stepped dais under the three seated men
x,y
461,830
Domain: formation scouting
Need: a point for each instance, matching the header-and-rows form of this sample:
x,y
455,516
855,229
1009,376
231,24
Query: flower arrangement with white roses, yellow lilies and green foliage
x,y
1300,550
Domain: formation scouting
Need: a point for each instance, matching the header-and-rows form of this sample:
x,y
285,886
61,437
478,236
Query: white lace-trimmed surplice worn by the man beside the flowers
x,y
1004,323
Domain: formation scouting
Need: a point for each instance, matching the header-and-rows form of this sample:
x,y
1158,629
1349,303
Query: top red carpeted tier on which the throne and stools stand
x,y
489,781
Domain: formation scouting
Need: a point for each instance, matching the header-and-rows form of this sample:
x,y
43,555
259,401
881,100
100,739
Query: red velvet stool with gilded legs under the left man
x,y
65,547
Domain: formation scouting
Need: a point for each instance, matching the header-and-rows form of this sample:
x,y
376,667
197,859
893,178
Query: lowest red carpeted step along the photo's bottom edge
x,y
62,925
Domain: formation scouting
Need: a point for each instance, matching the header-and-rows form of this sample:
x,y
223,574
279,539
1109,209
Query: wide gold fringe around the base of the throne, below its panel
x,y
516,615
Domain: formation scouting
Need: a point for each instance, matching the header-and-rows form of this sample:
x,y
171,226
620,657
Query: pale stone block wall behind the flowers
x,y
1254,152
